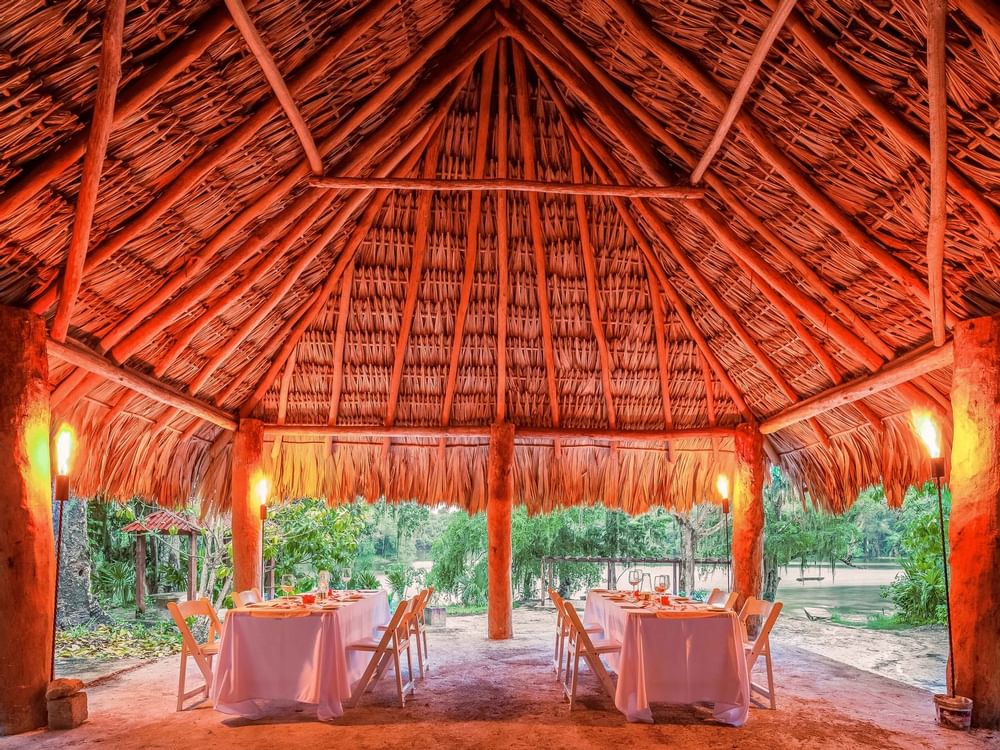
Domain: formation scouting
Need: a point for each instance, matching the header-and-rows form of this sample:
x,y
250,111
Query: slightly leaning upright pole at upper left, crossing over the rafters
x,y
108,75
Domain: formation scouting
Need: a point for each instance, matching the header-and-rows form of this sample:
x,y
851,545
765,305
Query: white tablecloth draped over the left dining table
x,y
267,664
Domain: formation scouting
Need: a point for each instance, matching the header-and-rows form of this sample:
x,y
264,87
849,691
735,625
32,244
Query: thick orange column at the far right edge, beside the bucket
x,y
975,517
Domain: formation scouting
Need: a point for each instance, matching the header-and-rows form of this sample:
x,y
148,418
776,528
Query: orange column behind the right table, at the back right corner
x,y
748,513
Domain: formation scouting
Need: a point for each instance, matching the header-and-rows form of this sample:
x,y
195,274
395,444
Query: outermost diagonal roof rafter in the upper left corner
x,y
182,52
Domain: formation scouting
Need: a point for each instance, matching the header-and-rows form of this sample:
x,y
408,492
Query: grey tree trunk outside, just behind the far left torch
x,y
77,605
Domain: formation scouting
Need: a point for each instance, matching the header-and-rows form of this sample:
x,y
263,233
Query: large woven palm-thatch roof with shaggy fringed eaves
x,y
216,266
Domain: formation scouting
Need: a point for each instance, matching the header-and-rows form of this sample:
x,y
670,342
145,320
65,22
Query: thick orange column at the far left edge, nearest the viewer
x,y
27,548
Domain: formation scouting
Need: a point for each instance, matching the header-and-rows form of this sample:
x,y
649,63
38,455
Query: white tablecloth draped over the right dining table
x,y
679,660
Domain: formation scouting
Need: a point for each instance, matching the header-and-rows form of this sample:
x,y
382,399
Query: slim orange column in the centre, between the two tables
x,y
500,491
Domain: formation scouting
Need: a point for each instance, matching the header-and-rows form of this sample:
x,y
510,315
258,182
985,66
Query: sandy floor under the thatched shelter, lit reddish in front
x,y
503,694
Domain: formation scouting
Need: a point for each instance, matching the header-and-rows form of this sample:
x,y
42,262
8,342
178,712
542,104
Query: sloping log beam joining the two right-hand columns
x,y
895,373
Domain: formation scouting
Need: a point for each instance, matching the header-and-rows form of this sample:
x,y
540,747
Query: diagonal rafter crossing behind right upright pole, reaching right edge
x,y
893,122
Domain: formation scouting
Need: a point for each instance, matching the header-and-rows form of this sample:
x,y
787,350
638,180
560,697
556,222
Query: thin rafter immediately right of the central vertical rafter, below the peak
x,y
536,227
